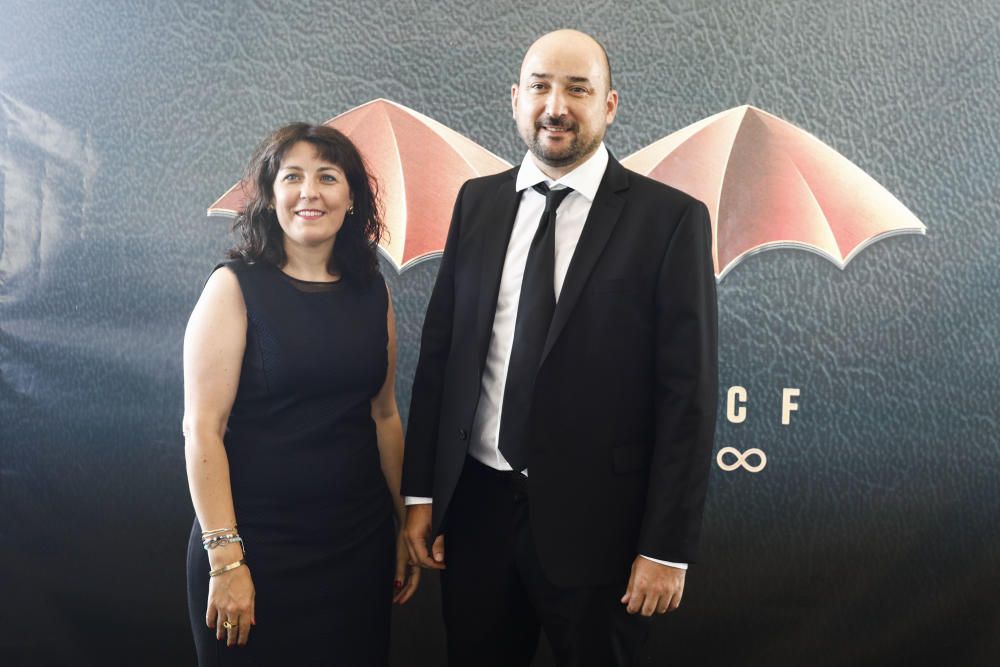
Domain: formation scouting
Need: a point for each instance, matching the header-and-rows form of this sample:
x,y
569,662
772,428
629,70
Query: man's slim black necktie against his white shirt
x,y
534,314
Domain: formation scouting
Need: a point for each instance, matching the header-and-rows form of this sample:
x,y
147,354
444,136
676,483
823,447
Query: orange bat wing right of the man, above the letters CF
x,y
769,184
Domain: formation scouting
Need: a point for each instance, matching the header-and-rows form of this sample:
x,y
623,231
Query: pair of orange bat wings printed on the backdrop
x,y
767,183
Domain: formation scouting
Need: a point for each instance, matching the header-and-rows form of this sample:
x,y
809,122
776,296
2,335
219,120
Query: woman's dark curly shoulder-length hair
x,y
259,236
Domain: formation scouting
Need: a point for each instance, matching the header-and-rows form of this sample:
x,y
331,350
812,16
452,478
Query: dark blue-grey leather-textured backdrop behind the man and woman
x,y
872,536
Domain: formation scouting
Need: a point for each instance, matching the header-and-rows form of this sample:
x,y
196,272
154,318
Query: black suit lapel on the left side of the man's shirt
x,y
496,236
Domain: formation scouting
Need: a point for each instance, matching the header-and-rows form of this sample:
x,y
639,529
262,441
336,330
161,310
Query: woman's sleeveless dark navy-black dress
x,y
311,503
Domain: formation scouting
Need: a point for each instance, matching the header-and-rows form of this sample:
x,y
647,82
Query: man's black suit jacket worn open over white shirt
x,y
625,398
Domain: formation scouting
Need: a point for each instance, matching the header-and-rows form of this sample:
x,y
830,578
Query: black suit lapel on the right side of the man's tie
x,y
604,213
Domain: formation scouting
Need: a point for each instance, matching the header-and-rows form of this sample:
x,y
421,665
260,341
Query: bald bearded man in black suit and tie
x,y
563,409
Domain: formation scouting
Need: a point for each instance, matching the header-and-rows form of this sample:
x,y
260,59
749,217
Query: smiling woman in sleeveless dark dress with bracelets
x,y
292,436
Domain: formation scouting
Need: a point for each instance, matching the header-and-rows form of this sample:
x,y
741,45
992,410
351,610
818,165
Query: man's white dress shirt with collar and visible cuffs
x,y
484,444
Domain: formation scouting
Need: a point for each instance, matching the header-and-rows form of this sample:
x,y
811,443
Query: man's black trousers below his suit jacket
x,y
496,598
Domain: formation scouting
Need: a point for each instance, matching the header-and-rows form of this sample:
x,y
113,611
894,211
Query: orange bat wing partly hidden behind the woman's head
x,y
420,165
